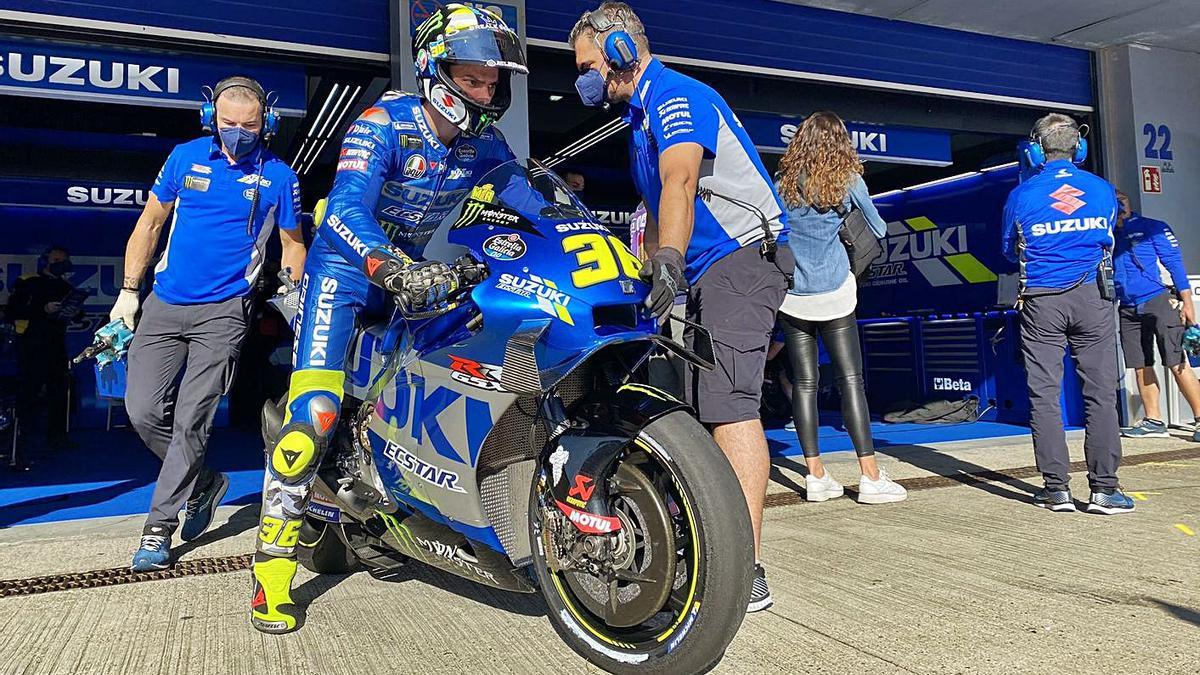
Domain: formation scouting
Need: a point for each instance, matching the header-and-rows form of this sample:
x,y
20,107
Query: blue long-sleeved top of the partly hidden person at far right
x,y
1143,244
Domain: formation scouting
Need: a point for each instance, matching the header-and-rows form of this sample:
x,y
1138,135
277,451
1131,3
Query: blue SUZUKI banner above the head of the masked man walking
x,y
123,76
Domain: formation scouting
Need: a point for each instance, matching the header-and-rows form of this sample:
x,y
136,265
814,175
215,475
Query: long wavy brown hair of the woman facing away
x,y
820,164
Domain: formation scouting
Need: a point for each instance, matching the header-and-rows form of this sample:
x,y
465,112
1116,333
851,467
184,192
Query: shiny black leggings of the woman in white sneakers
x,y
841,338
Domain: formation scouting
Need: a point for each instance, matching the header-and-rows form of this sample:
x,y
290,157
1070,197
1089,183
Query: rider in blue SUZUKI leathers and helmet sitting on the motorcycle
x,y
406,164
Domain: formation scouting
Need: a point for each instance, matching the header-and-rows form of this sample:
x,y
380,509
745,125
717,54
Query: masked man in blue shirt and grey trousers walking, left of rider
x,y
226,194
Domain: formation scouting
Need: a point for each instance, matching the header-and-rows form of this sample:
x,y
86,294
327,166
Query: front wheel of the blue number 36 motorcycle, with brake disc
x,y
668,592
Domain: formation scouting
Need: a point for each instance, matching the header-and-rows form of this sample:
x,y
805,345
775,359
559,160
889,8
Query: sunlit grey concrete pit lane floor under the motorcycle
x,y
965,577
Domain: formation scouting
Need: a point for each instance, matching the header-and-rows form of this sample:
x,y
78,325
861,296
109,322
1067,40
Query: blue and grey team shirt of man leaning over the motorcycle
x,y
669,109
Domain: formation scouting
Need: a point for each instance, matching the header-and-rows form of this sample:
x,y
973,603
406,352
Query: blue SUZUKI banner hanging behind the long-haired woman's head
x,y
903,146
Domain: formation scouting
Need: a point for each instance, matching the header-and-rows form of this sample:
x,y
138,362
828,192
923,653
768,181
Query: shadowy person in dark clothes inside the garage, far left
x,y
40,309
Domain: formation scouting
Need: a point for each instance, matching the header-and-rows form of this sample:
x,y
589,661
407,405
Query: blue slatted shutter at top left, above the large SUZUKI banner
x,y
361,26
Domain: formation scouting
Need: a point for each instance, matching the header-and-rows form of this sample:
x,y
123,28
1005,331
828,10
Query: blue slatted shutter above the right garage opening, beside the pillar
x,y
790,38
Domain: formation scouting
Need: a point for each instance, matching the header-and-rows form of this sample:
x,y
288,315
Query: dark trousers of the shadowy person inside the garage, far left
x,y
44,368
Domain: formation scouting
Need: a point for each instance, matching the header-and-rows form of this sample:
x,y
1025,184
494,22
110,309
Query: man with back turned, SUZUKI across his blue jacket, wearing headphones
x,y
1059,226
